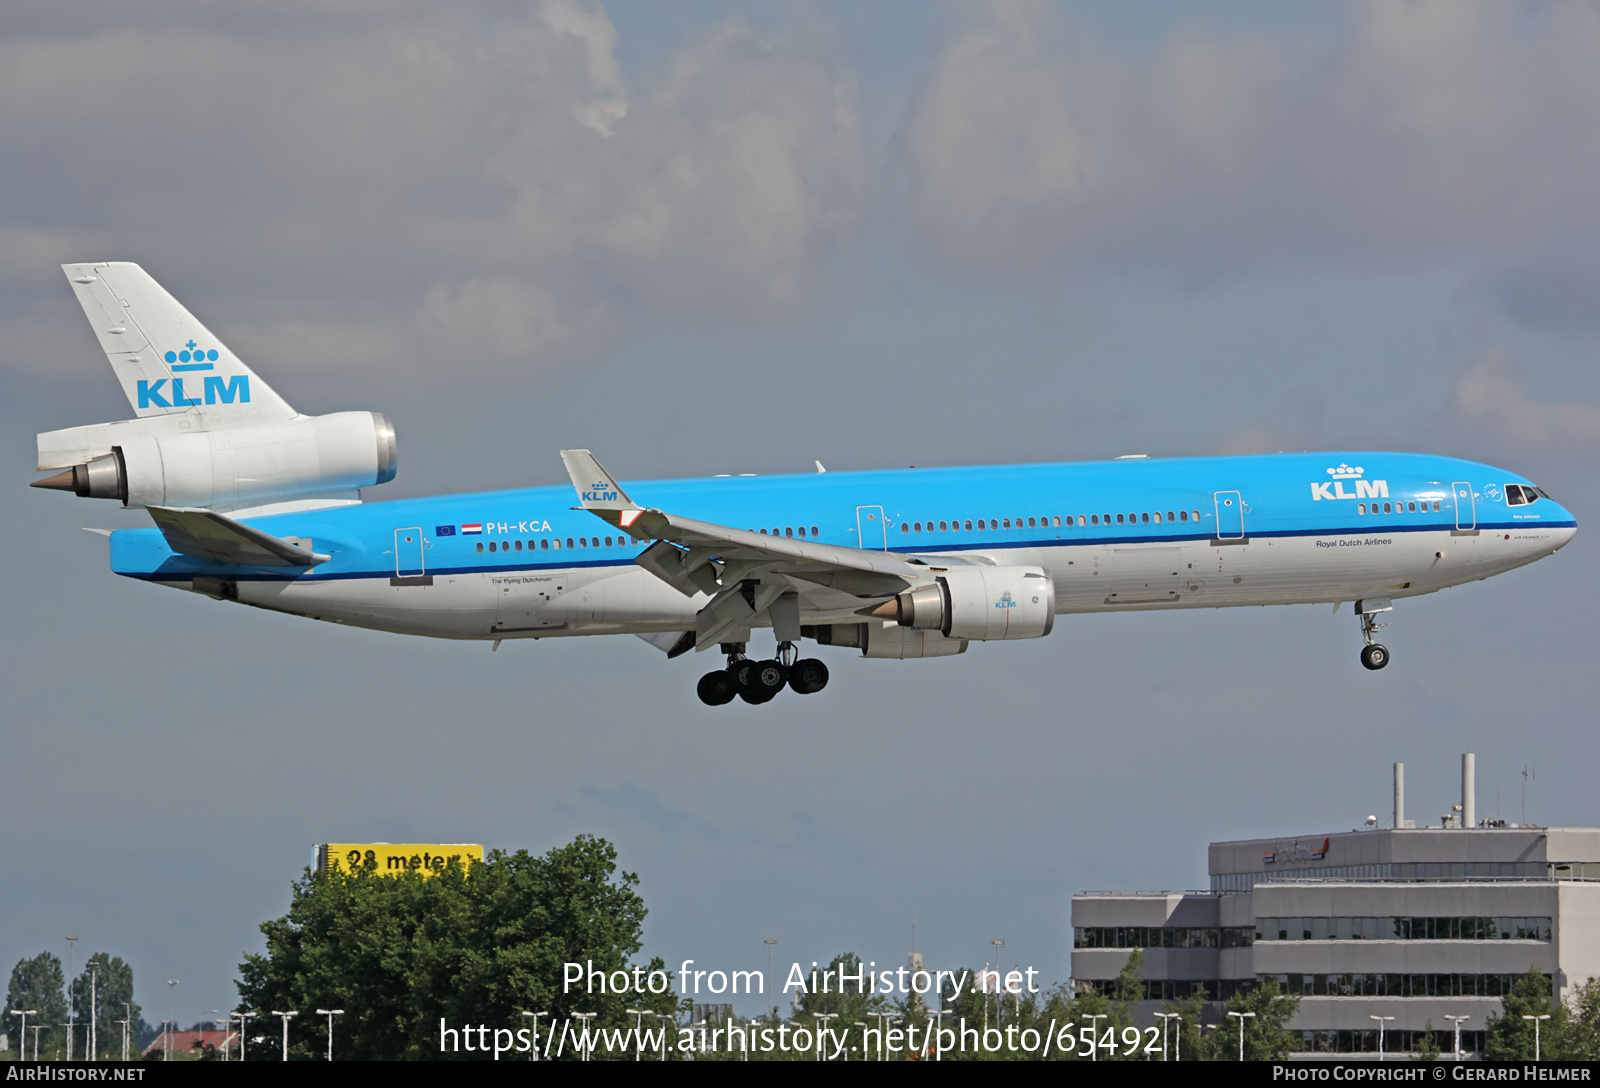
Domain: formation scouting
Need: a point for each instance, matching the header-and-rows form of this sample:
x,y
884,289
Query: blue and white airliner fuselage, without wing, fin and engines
x,y
1119,535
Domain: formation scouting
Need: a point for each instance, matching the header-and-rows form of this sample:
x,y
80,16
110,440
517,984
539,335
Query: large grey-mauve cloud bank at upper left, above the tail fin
x,y
474,183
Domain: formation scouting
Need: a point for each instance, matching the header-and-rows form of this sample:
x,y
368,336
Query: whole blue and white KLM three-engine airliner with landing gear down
x,y
260,505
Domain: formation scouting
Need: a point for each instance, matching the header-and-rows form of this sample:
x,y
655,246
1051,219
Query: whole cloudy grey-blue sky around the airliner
x,y
714,238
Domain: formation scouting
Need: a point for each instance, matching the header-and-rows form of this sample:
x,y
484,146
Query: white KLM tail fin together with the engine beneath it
x,y
209,434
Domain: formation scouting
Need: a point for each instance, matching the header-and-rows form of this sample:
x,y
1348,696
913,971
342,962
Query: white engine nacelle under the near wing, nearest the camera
x,y
983,604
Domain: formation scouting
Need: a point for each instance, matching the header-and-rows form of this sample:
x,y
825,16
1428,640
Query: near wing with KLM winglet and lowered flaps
x,y
745,574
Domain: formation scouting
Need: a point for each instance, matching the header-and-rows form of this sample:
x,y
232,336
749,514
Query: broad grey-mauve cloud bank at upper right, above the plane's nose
x,y
1422,135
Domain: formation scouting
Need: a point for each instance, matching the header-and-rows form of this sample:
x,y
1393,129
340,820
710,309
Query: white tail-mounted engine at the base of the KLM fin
x,y
250,465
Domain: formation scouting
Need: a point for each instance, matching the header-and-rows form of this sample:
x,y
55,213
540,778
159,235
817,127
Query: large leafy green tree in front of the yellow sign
x,y
465,948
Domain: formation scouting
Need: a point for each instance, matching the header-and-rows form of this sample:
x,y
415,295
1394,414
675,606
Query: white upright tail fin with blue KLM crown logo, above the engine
x,y
167,361
